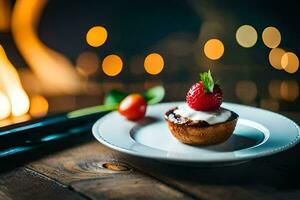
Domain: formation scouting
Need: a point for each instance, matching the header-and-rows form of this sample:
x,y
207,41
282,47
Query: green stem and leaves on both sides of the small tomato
x,y
114,97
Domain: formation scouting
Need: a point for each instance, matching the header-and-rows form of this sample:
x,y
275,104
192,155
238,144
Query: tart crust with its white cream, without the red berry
x,y
201,128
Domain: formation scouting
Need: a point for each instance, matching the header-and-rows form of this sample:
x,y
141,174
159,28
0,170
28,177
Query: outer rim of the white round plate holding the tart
x,y
289,145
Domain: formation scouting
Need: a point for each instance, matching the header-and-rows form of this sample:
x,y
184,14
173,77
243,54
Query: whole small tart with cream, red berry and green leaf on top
x,y
201,120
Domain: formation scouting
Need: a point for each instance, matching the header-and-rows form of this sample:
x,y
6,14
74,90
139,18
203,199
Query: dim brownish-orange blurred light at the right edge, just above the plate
x,y
289,90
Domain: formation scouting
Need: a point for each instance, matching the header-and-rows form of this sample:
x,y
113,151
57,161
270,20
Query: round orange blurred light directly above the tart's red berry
x,y
214,49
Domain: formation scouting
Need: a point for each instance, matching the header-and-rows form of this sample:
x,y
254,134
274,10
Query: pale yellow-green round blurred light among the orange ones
x,y
246,36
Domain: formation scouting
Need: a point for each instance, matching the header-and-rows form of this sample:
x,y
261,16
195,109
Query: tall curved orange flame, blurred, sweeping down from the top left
x,y
55,71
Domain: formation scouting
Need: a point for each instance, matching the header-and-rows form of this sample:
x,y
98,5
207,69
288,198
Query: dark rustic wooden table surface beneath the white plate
x,y
89,170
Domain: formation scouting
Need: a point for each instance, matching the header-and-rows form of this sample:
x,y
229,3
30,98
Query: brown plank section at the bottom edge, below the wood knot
x,y
128,186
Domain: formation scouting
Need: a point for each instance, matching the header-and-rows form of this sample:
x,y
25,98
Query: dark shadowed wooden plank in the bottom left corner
x,y
25,184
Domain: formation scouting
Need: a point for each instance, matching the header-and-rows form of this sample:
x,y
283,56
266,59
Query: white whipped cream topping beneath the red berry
x,y
211,117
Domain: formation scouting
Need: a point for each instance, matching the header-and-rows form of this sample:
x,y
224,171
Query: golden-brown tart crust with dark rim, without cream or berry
x,y
200,132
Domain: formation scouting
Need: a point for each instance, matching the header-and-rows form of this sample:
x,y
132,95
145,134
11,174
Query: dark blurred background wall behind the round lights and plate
x,y
177,30
